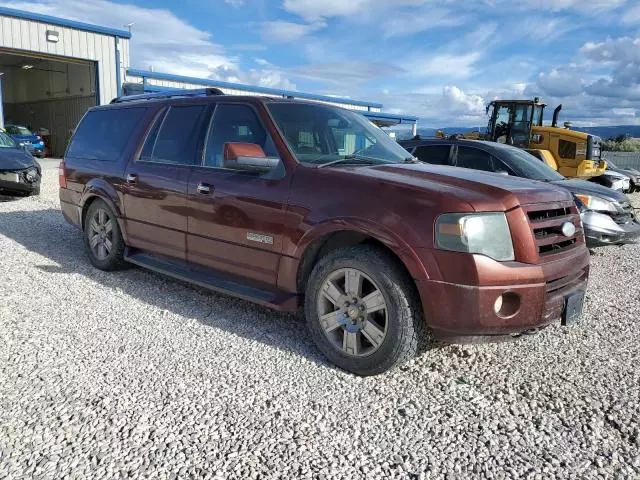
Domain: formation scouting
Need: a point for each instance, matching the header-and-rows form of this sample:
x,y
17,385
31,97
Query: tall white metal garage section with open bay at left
x,y
52,70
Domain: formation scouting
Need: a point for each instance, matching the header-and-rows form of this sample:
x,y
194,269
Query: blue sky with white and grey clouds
x,y
441,61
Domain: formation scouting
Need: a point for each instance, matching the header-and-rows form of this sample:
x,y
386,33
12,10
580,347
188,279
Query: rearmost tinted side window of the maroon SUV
x,y
103,134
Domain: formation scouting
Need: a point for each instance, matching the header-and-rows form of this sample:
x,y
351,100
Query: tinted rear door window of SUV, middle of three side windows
x,y
176,136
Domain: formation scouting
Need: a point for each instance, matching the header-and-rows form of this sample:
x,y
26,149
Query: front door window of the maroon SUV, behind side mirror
x,y
237,124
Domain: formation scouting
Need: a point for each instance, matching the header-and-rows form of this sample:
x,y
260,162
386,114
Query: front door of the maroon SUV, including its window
x,y
236,218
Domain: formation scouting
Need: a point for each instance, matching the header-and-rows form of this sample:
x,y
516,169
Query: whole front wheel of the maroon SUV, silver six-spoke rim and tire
x,y
362,311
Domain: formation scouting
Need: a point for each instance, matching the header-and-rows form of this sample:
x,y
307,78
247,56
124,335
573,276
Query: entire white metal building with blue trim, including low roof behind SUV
x,y
52,70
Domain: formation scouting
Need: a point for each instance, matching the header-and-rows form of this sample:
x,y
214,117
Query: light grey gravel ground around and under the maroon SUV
x,y
132,375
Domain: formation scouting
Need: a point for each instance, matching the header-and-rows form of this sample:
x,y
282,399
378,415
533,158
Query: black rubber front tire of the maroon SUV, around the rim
x,y
404,322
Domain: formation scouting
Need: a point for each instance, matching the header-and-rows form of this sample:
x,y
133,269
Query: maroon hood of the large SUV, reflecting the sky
x,y
483,191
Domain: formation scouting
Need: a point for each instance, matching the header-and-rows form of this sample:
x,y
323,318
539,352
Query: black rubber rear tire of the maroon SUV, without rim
x,y
114,259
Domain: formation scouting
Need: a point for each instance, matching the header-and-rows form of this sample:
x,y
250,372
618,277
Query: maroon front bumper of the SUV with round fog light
x,y
457,312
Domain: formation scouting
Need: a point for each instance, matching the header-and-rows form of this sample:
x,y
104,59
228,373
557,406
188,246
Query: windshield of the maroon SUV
x,y
320,134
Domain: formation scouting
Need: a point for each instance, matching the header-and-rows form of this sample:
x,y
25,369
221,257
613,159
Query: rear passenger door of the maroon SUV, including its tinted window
x,y
155,200
